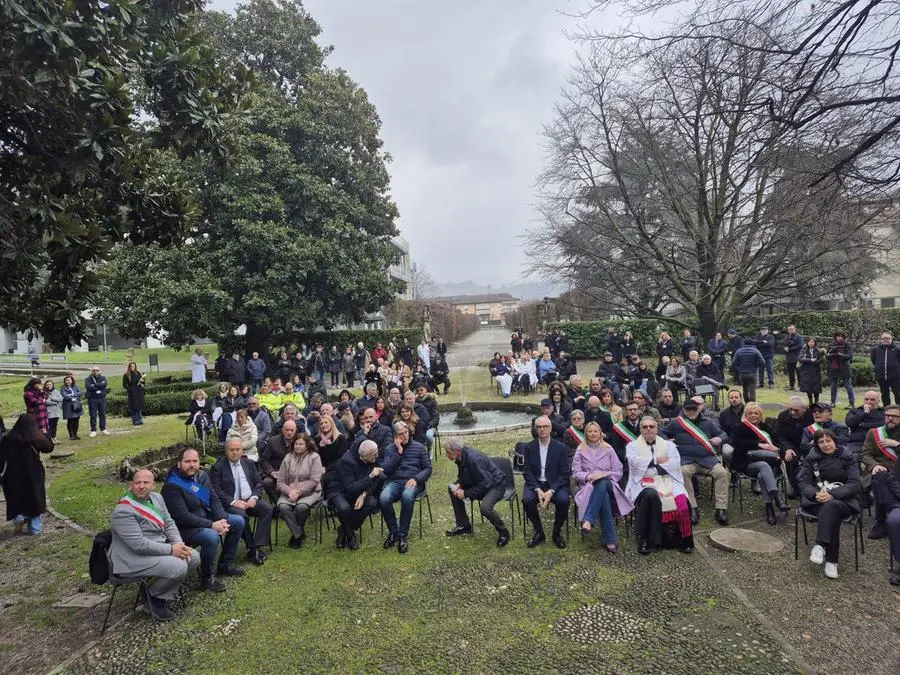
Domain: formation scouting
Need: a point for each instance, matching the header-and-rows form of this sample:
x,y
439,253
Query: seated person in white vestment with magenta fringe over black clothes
x,y
656,488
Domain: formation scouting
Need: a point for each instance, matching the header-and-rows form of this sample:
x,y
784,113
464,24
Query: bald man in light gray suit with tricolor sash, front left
x,y
146,542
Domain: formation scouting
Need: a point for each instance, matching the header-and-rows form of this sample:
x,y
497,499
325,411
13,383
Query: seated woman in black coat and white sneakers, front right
x,y
829,483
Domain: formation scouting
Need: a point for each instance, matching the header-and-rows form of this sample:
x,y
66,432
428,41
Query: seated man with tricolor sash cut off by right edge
x,y
879,457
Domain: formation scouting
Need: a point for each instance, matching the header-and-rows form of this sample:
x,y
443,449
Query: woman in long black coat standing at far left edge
x,y
23,474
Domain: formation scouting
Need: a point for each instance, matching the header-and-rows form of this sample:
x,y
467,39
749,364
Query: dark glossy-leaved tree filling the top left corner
x,y
99,103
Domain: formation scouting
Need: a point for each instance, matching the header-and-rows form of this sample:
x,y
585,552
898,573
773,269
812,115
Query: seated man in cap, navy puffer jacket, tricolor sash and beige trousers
x,y
699,441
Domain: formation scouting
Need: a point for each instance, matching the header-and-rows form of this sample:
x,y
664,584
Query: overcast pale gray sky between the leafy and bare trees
x,y
463,90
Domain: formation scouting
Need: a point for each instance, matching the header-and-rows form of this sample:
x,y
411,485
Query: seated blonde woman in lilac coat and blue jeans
x,y
597,471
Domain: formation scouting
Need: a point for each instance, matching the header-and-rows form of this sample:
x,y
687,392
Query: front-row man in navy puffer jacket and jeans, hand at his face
x,y
405,483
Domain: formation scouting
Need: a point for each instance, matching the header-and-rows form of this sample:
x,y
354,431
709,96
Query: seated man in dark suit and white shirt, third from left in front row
x,y
237,484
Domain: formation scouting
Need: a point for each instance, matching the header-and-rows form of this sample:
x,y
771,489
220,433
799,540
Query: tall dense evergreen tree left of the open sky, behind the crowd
x,y
296,229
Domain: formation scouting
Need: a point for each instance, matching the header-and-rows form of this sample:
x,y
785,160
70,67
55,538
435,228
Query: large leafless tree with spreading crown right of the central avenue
x,y
670,189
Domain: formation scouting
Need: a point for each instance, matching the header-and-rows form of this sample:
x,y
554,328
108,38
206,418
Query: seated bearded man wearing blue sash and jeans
x,y
201,519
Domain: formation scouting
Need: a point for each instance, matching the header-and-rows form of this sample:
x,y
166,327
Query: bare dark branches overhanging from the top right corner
x,y
832,57
